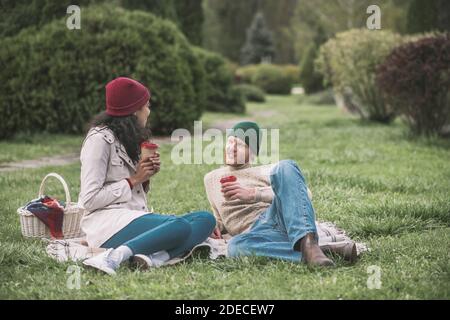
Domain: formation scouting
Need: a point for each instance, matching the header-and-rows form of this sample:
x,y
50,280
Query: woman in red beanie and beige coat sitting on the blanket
x,y
114,186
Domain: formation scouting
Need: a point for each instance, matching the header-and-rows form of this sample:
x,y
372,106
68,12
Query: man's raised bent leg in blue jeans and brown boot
x,y
294,212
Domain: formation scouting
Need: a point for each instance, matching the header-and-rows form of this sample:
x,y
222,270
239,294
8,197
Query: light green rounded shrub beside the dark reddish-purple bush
x,y
349,62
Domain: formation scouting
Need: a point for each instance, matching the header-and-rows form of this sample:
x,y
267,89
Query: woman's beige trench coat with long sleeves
x,y
104,192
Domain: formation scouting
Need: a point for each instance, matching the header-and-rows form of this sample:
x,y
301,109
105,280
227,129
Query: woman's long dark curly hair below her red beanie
x,y
126,129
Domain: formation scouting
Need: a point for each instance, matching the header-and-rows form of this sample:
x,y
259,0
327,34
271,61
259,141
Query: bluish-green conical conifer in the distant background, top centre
x,y
259,45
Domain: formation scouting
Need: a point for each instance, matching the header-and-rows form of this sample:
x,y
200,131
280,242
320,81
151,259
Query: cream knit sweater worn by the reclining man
x,y
237,216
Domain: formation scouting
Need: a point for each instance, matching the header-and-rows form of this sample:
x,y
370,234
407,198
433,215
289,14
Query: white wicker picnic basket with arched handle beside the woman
x,y
32,227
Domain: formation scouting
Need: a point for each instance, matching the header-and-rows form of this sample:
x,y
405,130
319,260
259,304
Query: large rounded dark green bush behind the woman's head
x,y
54,79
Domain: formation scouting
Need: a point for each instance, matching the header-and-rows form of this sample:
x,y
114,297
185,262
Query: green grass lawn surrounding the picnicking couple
x,y
382,186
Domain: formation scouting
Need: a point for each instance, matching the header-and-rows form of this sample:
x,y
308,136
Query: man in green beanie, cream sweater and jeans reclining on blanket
x,y
266,215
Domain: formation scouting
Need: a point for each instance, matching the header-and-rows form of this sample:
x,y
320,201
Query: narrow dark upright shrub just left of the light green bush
x,y
311,80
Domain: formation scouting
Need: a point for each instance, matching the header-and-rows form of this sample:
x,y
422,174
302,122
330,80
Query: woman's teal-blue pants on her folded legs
x,y
177,235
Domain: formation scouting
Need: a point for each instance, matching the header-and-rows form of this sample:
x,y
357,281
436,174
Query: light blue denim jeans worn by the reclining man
x,y
288,219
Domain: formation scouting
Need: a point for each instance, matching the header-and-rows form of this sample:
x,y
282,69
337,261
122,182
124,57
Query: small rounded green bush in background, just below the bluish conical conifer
x,y
272,79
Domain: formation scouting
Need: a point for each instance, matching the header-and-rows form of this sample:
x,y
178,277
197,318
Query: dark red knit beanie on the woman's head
x,y
124,96
